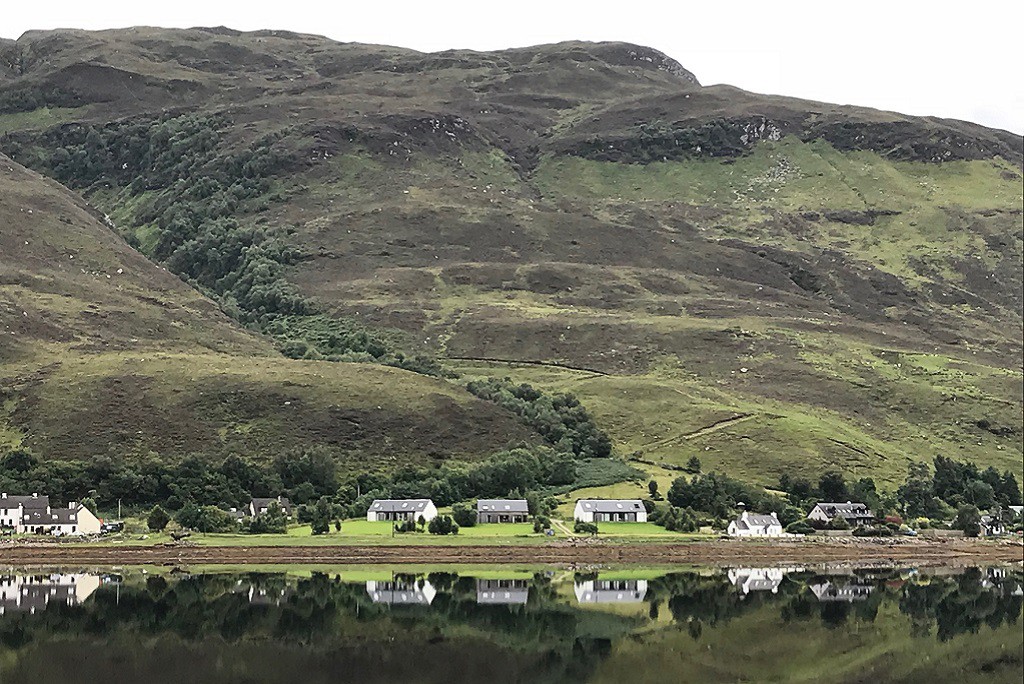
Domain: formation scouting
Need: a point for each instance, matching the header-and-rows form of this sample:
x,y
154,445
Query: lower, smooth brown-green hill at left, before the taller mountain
x,y
105,354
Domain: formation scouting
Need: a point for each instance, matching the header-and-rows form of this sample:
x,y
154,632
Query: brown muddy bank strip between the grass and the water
x,y
720,552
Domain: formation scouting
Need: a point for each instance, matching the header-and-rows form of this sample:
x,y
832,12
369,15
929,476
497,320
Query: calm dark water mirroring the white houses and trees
x,y
373,625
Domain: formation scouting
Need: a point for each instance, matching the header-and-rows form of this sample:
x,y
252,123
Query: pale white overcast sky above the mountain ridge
x,y
960,61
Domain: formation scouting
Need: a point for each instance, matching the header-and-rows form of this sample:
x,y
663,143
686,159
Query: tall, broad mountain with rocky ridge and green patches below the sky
x,y
771,284
